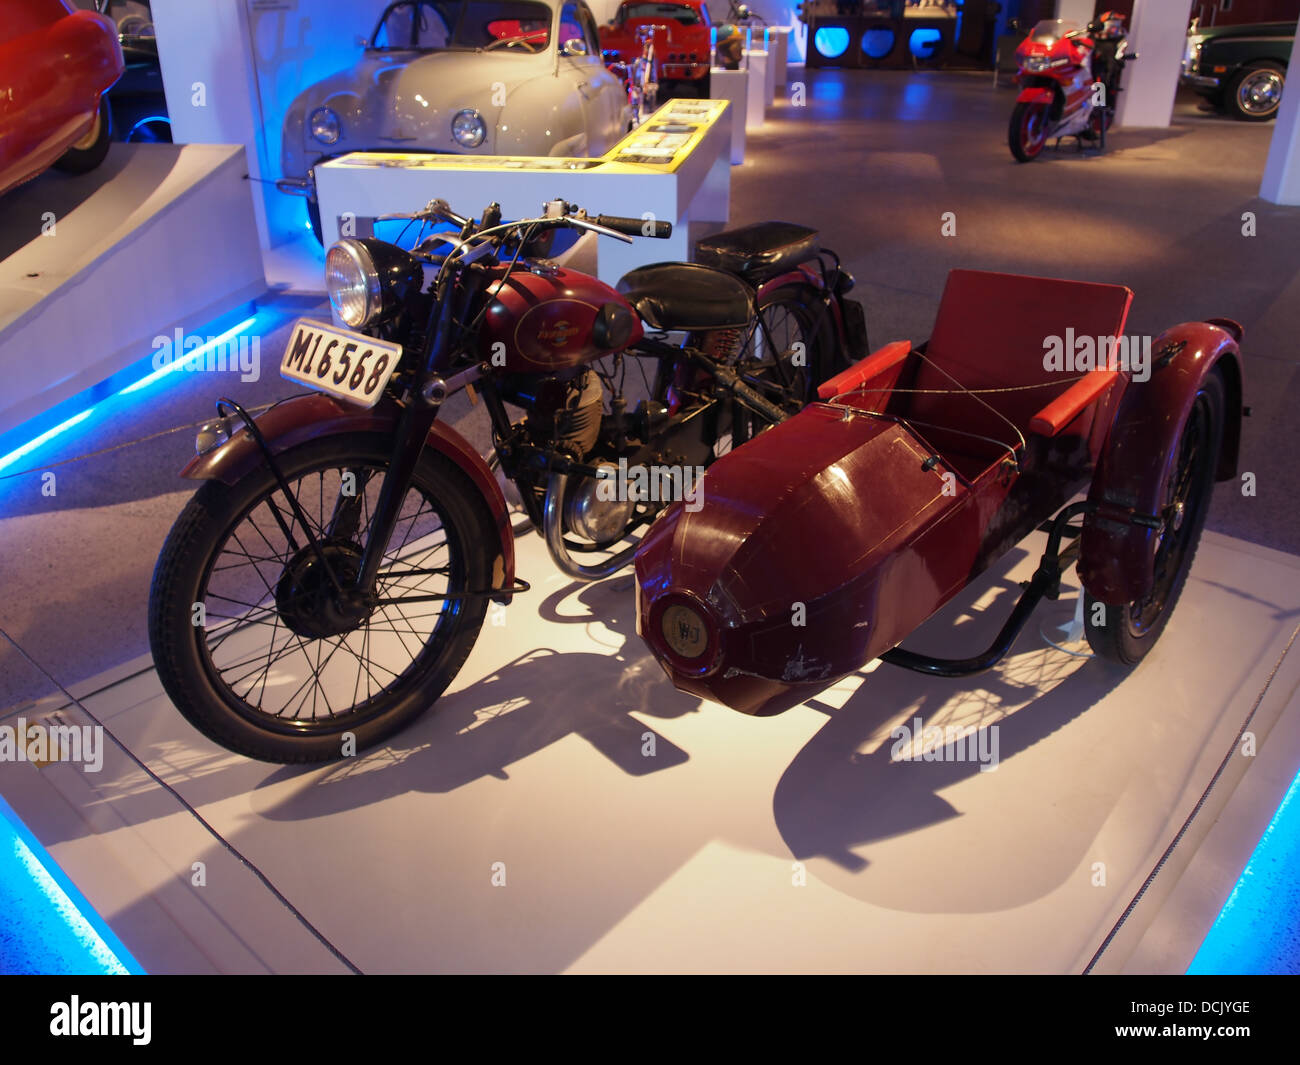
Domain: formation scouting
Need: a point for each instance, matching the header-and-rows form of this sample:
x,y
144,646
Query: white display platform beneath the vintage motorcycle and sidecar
x,y
742,845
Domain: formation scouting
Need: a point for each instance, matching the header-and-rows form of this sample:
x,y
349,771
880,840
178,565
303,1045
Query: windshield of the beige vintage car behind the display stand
x,y
440,25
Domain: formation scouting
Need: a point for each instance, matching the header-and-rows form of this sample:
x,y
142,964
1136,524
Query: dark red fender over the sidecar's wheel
x,y
1139,457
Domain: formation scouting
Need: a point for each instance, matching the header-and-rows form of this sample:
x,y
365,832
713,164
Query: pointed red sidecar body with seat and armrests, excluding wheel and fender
x,y
827,540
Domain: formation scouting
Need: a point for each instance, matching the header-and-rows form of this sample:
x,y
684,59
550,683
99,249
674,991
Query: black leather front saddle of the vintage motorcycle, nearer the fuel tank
x,y
687,297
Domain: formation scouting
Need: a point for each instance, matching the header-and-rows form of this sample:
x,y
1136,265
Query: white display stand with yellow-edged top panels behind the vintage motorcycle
x,y
691,185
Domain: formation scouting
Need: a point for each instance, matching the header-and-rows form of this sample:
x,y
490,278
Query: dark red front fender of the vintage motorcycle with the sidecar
x,y
311,417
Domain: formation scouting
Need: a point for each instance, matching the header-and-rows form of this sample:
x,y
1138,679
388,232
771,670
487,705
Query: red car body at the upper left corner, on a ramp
x,y
55,67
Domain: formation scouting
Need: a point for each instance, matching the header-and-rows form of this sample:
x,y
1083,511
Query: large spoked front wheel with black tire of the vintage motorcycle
x,y
226,552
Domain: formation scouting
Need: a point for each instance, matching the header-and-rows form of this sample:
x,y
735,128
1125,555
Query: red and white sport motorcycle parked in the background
x,y
1069,84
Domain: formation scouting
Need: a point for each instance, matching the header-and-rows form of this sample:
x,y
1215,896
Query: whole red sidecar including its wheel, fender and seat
x,y
825,542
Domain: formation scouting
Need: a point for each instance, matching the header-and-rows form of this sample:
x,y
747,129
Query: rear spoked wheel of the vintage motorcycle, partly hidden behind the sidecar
x,y
786,357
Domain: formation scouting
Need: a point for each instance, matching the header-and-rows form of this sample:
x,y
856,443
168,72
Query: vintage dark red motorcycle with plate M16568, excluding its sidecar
x,y
330,578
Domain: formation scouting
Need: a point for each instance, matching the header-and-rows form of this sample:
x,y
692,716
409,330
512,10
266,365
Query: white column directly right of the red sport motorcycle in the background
x,y
1159,36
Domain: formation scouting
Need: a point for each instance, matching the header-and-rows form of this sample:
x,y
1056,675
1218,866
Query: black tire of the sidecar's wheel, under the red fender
x,y
1128,633
